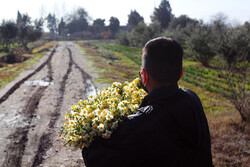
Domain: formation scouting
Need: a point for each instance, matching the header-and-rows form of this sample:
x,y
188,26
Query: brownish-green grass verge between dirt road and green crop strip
x,y
110,65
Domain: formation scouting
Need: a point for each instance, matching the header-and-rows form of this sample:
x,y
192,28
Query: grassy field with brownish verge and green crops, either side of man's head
x,y
114,62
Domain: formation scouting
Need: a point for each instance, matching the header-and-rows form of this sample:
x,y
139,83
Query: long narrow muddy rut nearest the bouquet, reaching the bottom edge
x,y
45,140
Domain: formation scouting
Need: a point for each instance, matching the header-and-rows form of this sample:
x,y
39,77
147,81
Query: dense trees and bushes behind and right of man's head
x,y
201,41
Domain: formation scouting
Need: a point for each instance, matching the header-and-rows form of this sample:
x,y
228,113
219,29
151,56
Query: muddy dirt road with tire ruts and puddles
x,y
32,109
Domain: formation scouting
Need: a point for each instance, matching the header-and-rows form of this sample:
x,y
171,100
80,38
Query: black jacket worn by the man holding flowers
x,y
169,130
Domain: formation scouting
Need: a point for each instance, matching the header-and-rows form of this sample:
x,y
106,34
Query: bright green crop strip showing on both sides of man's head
x,y
206,78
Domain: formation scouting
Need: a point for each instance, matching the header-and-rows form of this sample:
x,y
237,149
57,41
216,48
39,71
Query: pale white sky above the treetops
x,y
236,10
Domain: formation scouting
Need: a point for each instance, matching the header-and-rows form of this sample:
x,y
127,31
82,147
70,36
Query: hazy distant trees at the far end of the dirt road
x,y
77,26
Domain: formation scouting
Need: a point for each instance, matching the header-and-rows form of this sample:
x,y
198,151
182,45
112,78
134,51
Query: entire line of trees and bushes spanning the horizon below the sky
x,y
202,40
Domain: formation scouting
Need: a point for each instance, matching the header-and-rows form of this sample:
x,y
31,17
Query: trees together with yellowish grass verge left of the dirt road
x,y
20,46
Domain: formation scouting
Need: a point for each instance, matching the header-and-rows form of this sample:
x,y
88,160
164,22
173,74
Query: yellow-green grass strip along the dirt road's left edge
x,y
10,71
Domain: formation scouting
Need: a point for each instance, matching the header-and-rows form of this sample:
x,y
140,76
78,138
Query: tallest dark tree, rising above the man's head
x,y
163,14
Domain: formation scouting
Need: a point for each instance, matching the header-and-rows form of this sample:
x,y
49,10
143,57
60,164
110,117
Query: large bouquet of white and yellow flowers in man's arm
x,y
100,115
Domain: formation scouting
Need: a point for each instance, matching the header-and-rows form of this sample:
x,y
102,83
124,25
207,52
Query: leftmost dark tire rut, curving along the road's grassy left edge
x,y
19,83
